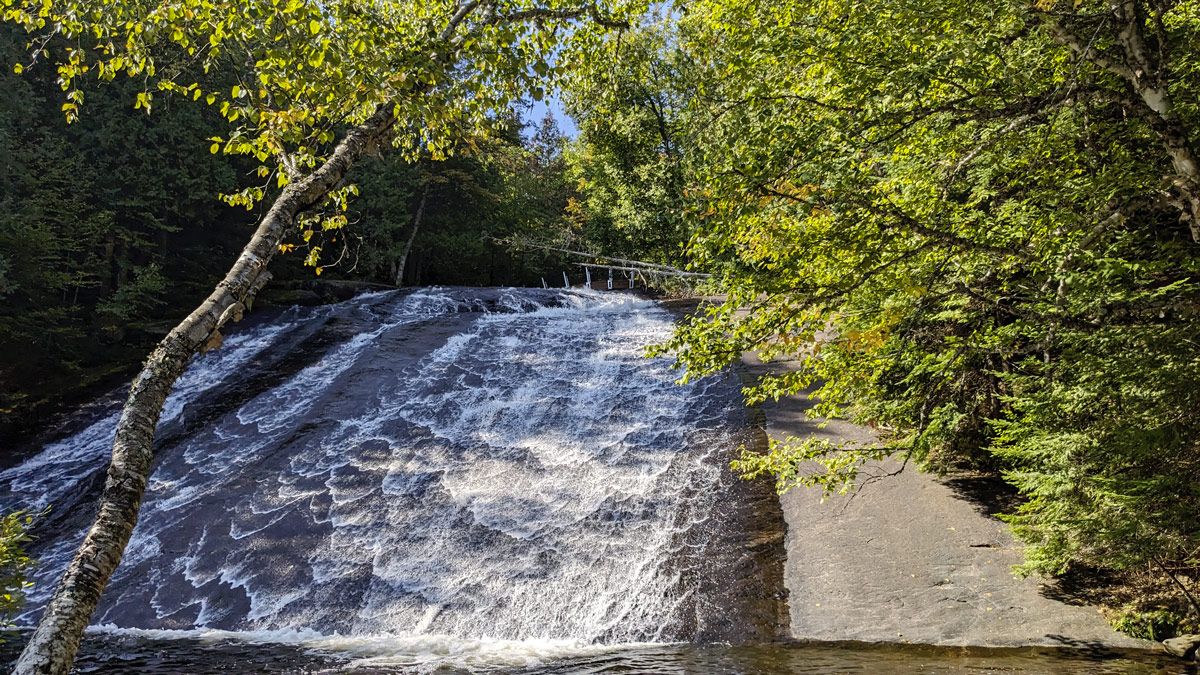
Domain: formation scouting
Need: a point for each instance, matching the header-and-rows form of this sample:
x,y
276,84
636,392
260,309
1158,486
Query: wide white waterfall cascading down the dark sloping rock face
x,y
483,465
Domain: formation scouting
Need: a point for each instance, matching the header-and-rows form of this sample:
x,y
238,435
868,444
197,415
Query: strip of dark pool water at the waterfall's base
x,y
125,654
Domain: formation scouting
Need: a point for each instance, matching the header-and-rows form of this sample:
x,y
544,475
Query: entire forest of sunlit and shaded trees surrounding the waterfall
x,y
974,225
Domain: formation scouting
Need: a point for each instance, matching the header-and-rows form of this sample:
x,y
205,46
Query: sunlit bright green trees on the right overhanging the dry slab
x,y
971,225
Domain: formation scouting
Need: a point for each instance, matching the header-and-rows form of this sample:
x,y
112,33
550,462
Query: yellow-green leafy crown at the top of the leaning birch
x,y
303,70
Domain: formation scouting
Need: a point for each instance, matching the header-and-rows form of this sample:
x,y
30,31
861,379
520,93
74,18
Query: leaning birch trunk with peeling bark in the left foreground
x,y
53,646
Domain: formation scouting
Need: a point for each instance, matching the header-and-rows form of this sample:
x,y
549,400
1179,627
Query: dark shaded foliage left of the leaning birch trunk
x,y
105,229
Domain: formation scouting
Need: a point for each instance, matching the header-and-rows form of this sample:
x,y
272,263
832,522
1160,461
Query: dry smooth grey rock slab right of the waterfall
x,y
914,559
